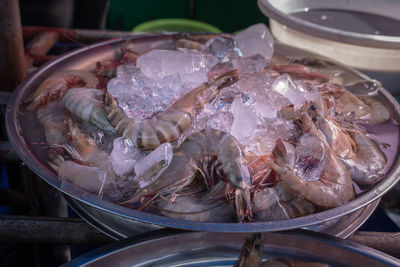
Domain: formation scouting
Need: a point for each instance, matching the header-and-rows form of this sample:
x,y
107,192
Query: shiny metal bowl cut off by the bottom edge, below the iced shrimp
x,y
223,249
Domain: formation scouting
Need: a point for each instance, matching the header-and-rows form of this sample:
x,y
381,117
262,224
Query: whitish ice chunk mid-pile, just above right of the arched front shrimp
x,y
245,120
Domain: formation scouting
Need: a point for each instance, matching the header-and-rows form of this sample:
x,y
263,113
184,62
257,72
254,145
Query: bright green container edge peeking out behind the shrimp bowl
x,y
175,25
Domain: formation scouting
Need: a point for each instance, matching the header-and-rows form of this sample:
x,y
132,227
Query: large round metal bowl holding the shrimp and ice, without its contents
x,y
27,137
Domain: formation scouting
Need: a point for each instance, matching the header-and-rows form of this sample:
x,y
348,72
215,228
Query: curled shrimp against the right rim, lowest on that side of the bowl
x,y
367,160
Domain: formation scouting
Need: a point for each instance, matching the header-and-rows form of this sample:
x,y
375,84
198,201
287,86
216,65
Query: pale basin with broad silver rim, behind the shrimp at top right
x,y
375,54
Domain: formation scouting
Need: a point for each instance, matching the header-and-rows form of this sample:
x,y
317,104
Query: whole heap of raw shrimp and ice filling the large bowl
x,y
214,130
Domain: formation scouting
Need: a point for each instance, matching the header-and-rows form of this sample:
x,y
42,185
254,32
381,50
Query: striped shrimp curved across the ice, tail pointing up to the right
x,y
168,125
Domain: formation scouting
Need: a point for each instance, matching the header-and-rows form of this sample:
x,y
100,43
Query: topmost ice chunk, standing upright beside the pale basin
x,y
254,40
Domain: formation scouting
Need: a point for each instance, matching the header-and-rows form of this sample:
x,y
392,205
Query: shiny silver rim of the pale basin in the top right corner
x,y
280,11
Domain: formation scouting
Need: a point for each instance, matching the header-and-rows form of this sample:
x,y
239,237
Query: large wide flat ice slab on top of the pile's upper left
x,y
157,64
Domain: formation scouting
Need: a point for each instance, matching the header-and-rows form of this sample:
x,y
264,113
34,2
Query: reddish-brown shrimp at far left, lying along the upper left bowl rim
x,y
55,86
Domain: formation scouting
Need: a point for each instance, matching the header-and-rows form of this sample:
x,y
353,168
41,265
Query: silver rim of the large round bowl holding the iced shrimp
x,y
18,142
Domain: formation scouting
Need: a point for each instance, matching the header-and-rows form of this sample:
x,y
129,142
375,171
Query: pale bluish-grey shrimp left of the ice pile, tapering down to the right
x,y
87,104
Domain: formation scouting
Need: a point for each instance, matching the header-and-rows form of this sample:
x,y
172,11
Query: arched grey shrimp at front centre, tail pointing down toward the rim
x,y
215,154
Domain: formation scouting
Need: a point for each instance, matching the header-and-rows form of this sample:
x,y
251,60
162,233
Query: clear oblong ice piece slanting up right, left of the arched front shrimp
x,y
159,159
